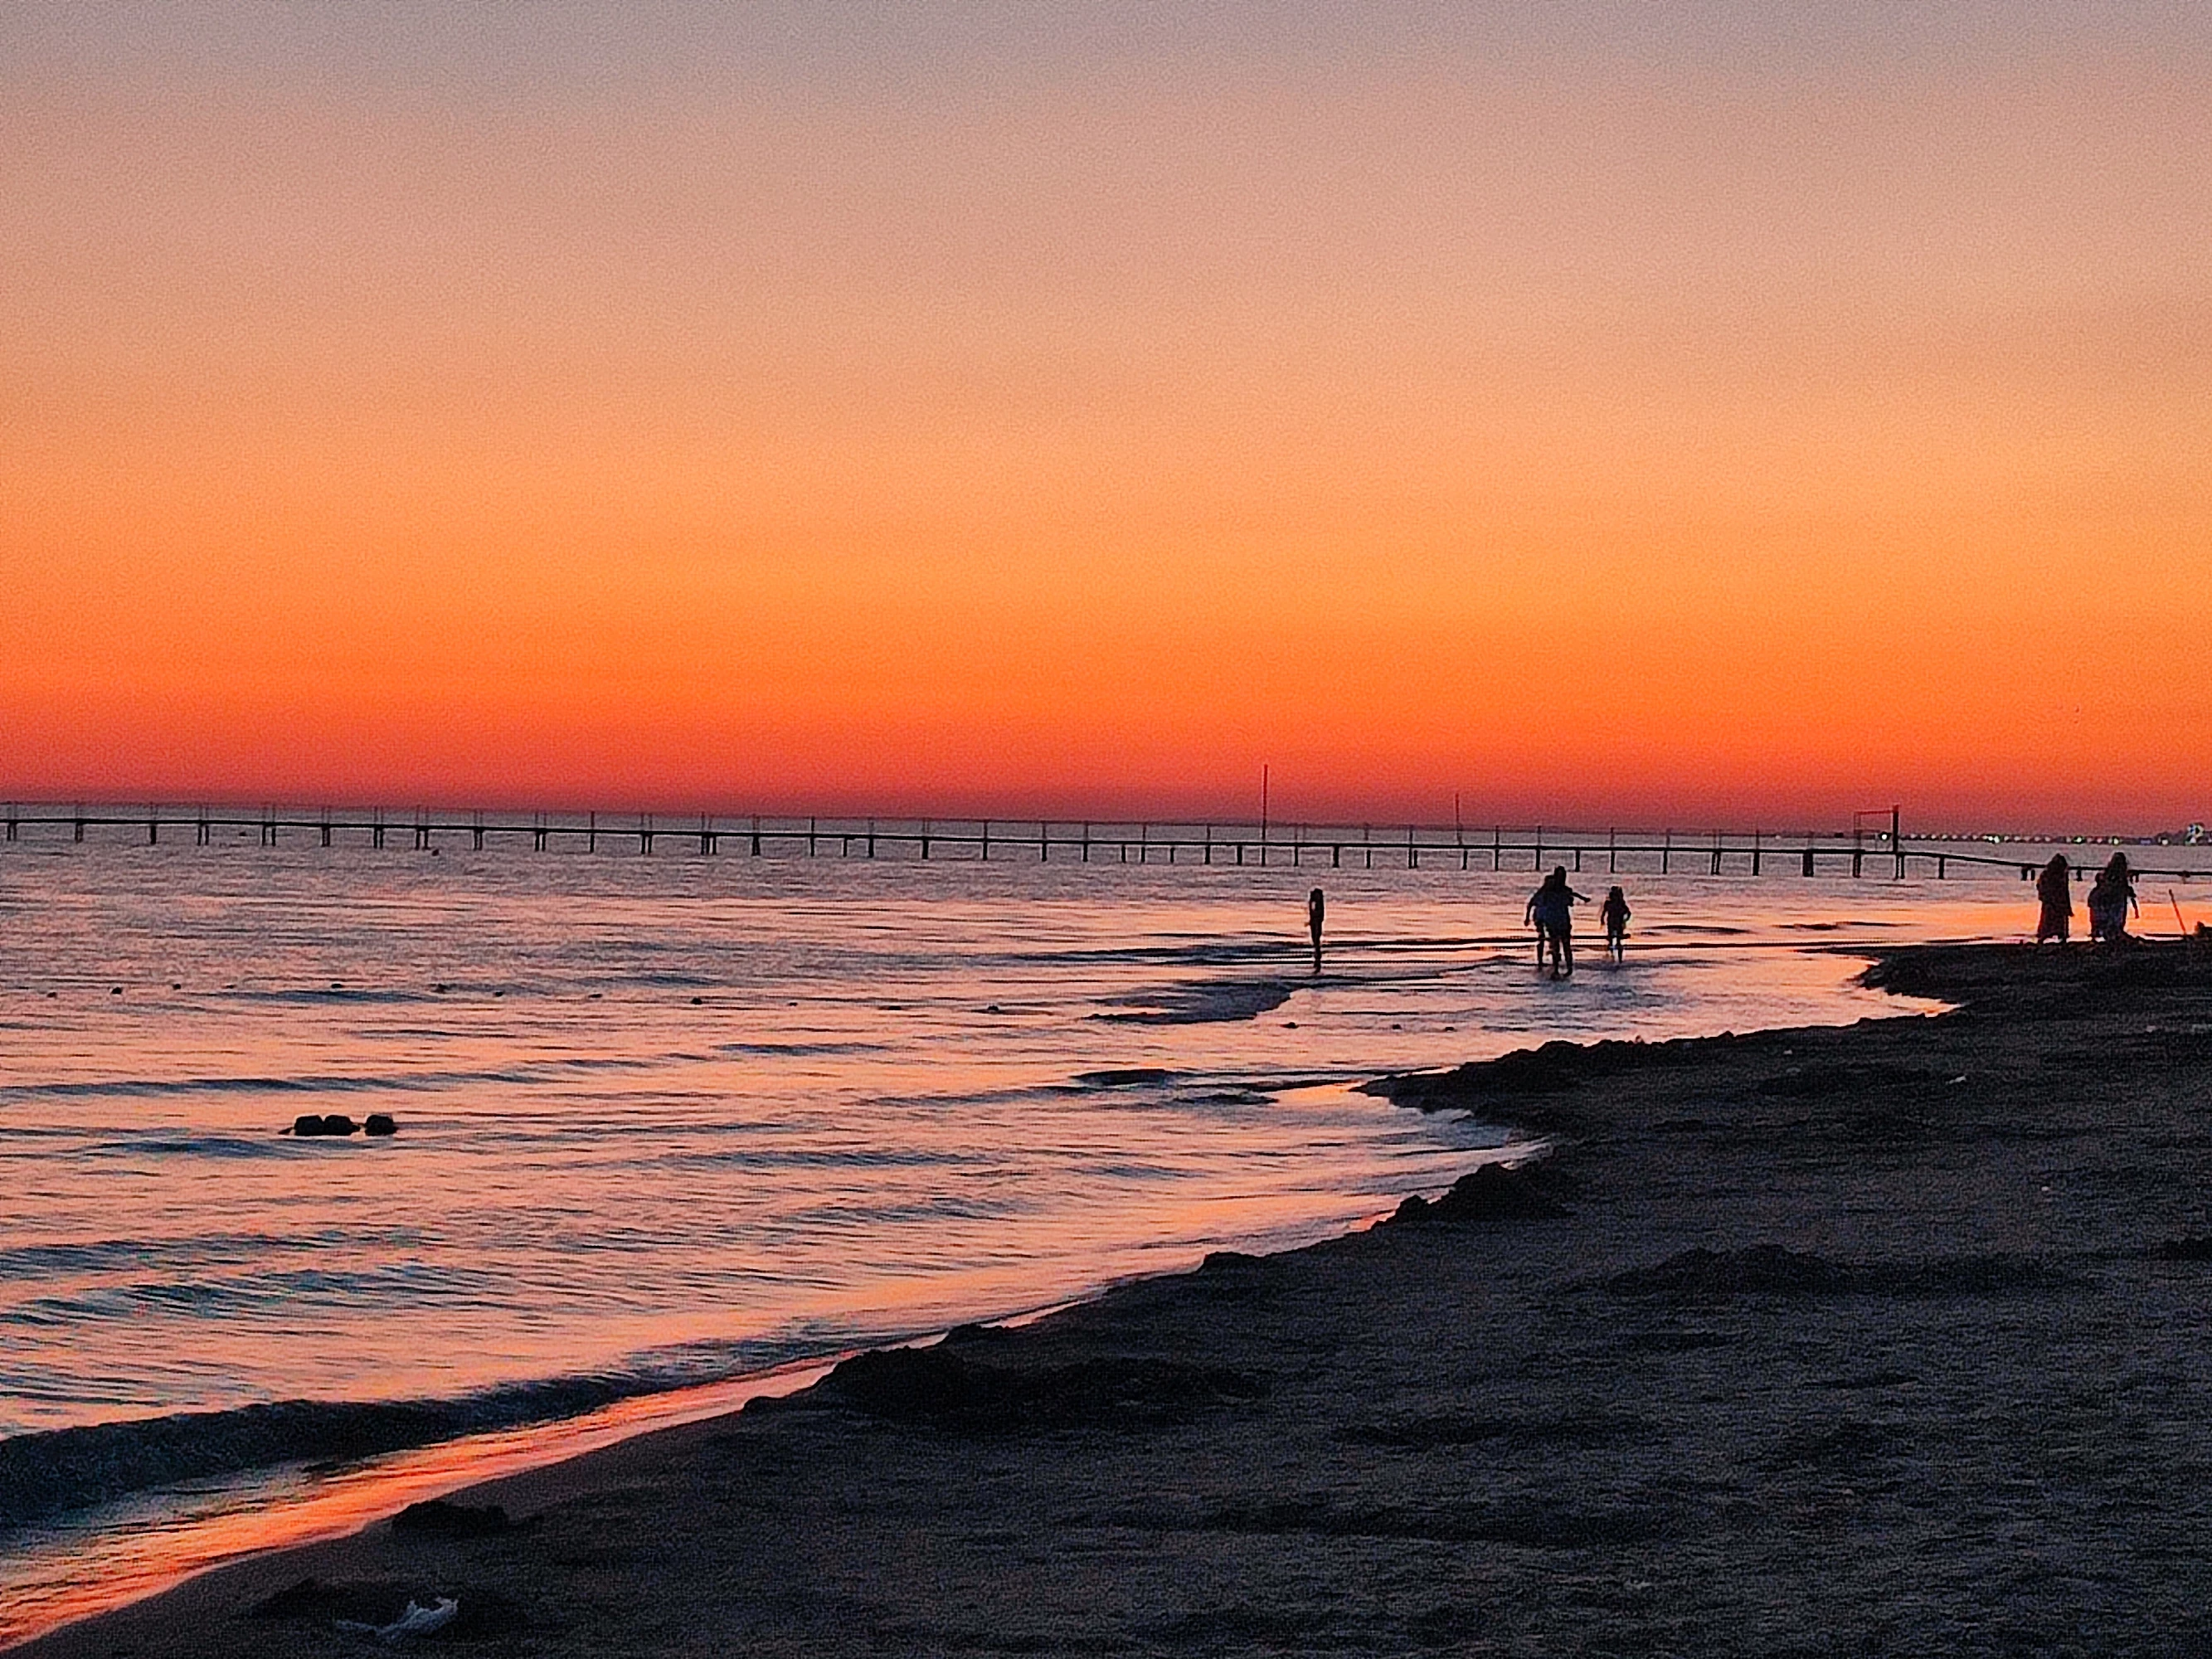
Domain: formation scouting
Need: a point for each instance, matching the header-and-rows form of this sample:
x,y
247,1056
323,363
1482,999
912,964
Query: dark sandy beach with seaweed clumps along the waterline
x,y
1877,1339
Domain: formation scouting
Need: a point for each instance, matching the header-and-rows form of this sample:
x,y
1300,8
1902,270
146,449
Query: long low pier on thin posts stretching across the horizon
x,y
1258,844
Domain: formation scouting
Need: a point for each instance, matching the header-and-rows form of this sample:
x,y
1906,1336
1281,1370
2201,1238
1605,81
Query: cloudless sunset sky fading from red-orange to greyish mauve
x,y
1607,413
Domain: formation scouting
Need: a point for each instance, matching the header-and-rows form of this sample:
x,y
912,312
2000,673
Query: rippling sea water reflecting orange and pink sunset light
x,y
678,1129
